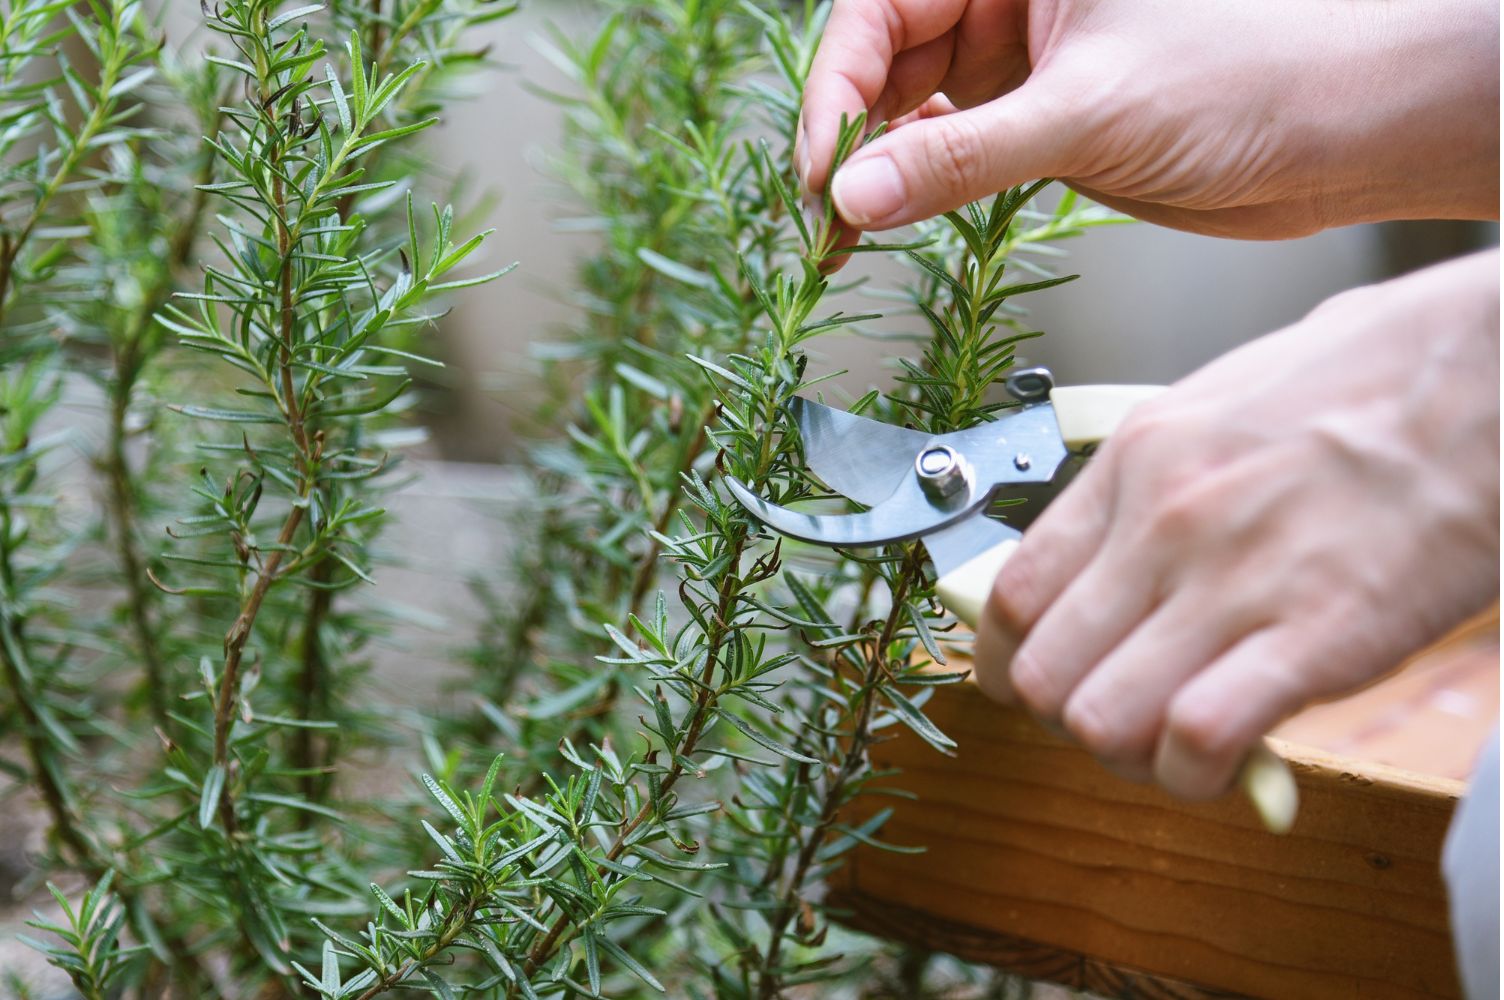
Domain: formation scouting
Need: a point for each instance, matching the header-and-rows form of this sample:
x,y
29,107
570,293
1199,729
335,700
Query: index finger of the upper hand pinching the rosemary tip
x,y
852,65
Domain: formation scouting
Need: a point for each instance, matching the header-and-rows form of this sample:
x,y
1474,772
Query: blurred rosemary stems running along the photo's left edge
x,y
56,121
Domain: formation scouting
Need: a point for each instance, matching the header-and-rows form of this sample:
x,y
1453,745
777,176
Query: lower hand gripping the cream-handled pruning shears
x,y
1284,526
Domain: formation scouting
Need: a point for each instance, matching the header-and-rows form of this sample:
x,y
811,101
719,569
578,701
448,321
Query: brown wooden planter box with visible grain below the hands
x,y
1045,864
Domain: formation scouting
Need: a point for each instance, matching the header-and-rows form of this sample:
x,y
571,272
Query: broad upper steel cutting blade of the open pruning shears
x,y
860,458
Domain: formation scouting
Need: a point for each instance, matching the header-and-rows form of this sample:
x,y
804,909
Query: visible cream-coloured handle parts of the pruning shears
x,y
1090,414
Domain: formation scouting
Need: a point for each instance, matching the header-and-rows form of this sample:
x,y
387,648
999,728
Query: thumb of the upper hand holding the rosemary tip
x,y
938,165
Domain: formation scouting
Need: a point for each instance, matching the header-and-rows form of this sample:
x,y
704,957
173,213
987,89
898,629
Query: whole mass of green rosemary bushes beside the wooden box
x,y
673,717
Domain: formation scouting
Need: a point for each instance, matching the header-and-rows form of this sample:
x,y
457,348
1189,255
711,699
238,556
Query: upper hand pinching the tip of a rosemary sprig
x,y
1255,121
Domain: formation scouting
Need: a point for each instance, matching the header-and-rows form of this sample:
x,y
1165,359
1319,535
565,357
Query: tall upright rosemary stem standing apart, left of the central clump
x,y
311,311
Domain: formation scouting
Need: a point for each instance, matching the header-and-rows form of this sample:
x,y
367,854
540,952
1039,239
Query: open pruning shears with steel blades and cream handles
x,y
941,488
